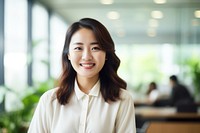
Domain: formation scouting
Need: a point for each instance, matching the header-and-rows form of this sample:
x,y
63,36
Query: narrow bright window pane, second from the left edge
x,y
40,43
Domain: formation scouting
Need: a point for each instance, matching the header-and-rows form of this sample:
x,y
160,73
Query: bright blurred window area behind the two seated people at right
x,y
155,62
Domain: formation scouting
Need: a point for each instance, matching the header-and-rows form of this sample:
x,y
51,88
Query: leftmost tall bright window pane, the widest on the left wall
x,y
15,44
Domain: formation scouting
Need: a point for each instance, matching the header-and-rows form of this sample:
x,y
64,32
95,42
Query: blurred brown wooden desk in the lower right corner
x,y
166,120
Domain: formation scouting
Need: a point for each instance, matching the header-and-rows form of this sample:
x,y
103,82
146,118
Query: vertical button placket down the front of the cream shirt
x,y
83,118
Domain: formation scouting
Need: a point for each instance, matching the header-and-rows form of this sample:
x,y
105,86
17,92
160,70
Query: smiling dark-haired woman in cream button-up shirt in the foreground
x,y
91,97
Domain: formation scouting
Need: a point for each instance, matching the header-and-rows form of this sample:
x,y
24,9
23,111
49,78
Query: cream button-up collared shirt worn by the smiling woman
x,y
85,113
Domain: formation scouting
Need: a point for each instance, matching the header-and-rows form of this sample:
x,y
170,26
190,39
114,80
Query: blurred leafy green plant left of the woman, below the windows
x,y
18,121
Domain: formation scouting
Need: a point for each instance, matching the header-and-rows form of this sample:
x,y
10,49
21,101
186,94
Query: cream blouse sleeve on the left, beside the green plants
x,y
40,122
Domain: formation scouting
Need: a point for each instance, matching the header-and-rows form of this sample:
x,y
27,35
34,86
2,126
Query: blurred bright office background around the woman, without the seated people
x,y
153,39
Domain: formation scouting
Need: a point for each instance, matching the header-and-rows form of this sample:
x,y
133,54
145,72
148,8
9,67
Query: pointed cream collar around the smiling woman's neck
x,y
93,92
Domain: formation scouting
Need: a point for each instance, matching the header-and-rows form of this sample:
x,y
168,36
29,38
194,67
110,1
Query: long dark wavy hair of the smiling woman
x,y
110,82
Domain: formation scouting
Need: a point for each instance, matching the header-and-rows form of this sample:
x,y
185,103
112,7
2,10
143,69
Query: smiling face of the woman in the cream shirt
x,y
85,55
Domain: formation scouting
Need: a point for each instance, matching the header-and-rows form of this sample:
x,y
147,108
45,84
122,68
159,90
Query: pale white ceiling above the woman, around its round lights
x,y
134,17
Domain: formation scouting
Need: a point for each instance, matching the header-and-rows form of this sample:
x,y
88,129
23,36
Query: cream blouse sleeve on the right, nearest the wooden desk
x,y
126,115
